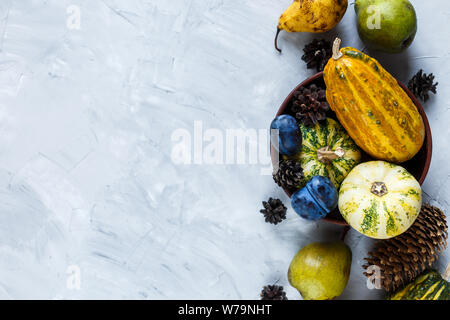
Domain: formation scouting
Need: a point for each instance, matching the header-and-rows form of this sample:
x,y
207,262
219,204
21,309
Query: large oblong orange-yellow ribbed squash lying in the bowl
x,y
373,108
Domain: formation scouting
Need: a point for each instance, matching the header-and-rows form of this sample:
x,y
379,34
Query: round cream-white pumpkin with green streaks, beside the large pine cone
x,y
380,217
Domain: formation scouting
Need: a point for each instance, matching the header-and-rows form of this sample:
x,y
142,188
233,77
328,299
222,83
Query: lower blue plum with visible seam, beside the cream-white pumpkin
x,y
318,198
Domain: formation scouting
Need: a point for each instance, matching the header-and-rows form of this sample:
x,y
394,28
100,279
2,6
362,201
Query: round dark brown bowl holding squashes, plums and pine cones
x,y
417,166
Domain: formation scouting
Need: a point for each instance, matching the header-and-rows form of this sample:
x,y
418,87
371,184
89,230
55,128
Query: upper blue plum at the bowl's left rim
x,y
288,141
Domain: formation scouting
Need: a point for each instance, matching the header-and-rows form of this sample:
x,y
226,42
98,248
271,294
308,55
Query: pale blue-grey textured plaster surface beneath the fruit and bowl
x,y
86,116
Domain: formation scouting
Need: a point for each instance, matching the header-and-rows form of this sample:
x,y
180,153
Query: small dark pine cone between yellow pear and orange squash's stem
x,y
317,54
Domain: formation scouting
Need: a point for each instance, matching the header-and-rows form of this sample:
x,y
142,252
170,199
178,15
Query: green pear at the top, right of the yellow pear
x,y
386,25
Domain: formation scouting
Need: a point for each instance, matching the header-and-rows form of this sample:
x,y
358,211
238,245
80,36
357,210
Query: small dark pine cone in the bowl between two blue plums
x,y
289,175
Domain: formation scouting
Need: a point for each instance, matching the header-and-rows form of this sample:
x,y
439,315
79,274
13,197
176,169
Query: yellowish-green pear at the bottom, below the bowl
x,y
320,271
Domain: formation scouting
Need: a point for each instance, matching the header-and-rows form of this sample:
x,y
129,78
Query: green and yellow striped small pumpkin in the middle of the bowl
x,y
327,150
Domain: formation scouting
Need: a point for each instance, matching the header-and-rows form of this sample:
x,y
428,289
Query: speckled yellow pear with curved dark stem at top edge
x,y
311,16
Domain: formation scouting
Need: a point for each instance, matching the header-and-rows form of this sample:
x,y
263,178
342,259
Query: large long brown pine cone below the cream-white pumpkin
x,y
403,258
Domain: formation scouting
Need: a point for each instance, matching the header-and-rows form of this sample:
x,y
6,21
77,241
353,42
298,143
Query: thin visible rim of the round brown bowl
x,y
428,142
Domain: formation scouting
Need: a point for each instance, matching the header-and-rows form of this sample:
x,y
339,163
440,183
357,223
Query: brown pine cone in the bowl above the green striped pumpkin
x,y
310,105
